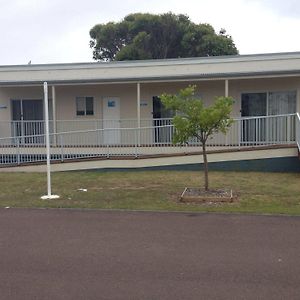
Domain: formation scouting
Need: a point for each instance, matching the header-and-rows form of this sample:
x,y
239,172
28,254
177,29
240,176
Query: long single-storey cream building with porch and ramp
x,y
112,110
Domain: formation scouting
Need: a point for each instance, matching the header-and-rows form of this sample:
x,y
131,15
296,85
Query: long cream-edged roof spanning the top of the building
x,y
198,68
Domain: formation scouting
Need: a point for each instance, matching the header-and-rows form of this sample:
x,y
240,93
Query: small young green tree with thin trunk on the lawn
x,y
193,119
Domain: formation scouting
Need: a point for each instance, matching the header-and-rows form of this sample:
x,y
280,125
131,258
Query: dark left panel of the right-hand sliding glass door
x,y
253,130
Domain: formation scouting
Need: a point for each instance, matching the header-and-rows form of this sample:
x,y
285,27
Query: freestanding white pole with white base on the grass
x,y
49,195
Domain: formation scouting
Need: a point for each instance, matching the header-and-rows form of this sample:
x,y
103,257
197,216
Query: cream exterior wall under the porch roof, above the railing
x,y
66,95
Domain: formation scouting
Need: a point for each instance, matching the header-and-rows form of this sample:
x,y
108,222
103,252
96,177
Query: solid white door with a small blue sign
x,y
111,120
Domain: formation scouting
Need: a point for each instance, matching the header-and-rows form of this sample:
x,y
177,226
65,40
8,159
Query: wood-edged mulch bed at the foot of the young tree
x,y
200,195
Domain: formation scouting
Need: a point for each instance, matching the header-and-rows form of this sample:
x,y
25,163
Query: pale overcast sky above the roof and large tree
x,y
57,31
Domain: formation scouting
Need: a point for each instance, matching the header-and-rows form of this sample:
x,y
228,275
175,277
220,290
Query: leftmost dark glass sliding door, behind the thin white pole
x,y
27,118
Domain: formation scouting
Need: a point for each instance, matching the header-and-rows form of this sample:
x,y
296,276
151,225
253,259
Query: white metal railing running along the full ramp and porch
x,y
147,140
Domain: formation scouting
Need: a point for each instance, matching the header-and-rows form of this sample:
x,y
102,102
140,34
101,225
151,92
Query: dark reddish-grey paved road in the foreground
x,y
65,254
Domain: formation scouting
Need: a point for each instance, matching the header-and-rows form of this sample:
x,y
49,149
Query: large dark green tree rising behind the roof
x,y
148,36
